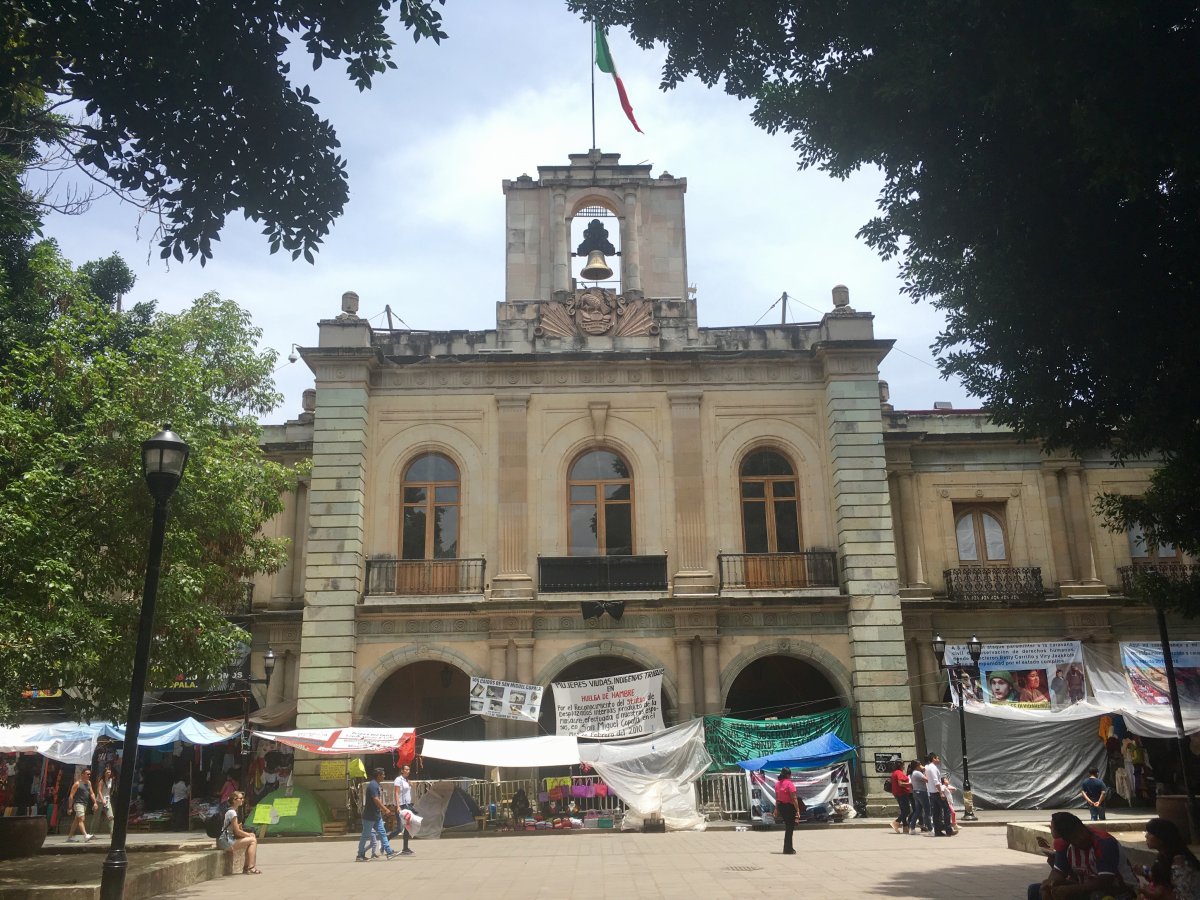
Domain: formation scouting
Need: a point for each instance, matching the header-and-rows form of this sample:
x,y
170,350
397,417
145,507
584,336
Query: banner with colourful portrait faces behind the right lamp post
x,y
1028,676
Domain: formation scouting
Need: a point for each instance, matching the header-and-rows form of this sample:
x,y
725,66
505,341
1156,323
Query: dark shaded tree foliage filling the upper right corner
x,y
1042,167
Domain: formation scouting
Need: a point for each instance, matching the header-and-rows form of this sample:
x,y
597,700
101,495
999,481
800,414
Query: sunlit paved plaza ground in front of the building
x,y
830,863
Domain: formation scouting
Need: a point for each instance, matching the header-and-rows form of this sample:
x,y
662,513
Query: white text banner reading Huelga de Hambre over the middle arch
x,y
617,707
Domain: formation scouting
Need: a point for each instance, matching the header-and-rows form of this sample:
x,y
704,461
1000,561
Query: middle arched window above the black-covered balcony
x,y
601,494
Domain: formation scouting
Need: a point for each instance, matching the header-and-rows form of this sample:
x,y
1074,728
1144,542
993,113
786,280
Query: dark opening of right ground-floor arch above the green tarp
x,y
781,688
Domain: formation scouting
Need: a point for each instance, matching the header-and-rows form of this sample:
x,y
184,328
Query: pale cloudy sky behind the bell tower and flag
x,y
509,91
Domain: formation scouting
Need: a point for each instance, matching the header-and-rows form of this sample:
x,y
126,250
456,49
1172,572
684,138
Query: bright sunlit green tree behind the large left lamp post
x,y
75,513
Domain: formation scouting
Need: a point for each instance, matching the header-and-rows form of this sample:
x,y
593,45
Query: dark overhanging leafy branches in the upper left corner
x,y
191,107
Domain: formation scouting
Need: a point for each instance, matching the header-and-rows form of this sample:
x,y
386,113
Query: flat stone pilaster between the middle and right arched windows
x,y
693,574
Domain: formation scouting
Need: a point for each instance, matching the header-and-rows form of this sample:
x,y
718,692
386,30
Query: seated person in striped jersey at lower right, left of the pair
x,y
1085,863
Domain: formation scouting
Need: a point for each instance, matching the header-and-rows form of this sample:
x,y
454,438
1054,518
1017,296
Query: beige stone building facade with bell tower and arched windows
x,y
778,538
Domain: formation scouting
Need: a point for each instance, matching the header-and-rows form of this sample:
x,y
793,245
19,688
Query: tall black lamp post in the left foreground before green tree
x,y
164,459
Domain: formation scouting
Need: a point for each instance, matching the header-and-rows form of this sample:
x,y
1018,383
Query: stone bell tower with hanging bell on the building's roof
x,y
647,212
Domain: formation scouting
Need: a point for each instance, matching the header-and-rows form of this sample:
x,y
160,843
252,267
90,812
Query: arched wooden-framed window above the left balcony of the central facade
x,y
429,525
